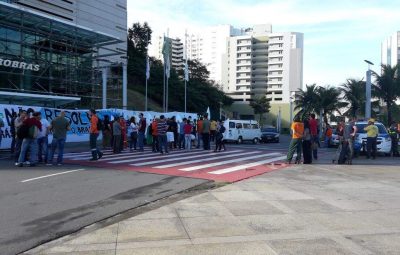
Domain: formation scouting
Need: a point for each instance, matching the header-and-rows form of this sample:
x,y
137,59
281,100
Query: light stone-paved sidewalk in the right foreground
x,y
317,209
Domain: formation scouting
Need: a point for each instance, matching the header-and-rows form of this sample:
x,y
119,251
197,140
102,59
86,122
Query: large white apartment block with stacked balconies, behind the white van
x,y
262,63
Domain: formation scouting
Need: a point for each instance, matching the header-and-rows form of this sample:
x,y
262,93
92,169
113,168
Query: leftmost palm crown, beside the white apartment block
x,y
306,100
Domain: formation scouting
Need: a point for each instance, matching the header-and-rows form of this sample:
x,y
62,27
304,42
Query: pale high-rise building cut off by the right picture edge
x,y
391,50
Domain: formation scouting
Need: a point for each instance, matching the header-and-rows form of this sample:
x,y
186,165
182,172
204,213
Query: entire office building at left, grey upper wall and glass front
x,y
74,46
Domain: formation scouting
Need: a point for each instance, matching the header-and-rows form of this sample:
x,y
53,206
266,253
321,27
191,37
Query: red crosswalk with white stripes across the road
x,y
194,163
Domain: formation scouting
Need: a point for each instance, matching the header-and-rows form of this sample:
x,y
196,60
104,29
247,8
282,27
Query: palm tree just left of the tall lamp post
x,y
353,92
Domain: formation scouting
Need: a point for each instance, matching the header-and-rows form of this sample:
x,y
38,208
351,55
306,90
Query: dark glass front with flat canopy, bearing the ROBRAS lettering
x,y
49,61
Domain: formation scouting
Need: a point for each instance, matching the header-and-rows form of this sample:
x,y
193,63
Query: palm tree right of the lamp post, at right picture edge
x,y
387,87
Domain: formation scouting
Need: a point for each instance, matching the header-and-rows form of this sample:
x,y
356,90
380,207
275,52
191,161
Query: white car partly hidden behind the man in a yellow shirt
x,y
384,142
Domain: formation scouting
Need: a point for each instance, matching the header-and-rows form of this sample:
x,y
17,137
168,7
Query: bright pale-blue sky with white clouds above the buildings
x,y
338,35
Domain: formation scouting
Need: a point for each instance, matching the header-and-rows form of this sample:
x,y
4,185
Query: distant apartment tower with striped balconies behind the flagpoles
x,y
177,51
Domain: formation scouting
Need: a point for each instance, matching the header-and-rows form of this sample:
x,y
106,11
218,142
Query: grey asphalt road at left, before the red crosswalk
x,y
42,203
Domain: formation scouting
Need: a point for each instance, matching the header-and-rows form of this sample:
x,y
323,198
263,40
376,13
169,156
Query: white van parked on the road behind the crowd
x,y
242,130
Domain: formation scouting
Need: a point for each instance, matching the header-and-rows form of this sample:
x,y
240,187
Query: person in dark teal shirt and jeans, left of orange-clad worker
x,y
59,127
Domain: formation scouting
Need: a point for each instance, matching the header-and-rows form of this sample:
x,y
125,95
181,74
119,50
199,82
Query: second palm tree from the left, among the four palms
x,y
329,101
